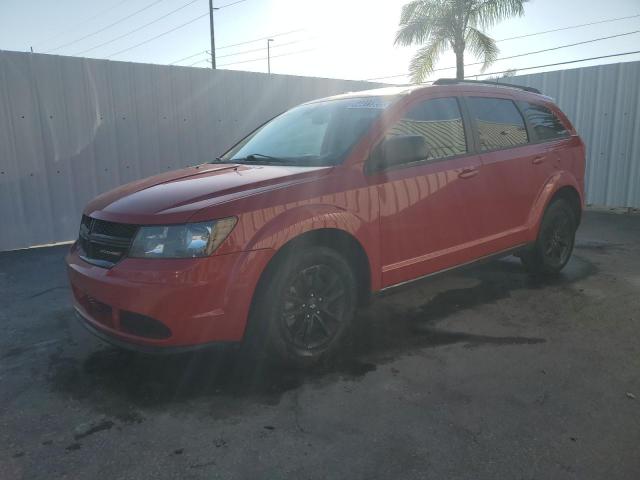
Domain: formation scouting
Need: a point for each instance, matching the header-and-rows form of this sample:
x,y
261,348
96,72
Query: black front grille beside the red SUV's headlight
x,y
105,243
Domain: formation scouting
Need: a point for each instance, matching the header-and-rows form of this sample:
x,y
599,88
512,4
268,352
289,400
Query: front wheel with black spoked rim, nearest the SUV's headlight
x,y
304,308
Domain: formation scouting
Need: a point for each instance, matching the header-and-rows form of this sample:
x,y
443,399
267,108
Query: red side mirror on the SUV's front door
x,y
398,150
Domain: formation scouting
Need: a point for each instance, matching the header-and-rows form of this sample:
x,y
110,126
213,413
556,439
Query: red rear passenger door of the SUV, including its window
x,y
508,159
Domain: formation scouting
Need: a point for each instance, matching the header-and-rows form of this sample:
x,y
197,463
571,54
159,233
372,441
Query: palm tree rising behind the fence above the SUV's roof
x,y
443,24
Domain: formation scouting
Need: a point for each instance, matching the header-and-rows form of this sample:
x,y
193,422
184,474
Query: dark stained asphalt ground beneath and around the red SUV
x,y
477,374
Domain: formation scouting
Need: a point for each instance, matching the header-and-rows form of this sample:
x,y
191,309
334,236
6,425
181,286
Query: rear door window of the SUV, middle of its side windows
x,y
498,123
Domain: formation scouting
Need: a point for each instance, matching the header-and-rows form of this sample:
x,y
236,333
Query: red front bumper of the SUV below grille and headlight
x,y
193,301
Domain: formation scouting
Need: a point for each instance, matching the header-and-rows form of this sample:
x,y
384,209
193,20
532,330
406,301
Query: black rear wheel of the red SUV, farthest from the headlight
x,y
555,241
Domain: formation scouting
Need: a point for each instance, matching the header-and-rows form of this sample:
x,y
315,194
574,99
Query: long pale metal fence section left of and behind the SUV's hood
x,y
71,128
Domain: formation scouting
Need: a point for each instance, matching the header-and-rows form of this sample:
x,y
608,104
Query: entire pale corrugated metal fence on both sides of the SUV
x,y
71,128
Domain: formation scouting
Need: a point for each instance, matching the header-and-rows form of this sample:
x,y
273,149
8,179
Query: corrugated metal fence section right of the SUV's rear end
x,y
603,103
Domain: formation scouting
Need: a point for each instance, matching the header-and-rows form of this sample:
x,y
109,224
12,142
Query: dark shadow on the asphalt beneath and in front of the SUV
x,y
117,381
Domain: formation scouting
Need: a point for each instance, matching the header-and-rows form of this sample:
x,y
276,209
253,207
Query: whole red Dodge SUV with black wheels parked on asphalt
x,y
278,241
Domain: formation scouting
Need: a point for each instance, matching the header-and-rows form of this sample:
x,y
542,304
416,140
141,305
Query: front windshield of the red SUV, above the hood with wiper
x,y
320,133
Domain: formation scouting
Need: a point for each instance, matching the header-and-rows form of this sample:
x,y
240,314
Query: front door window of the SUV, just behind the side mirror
x,y
439,121
